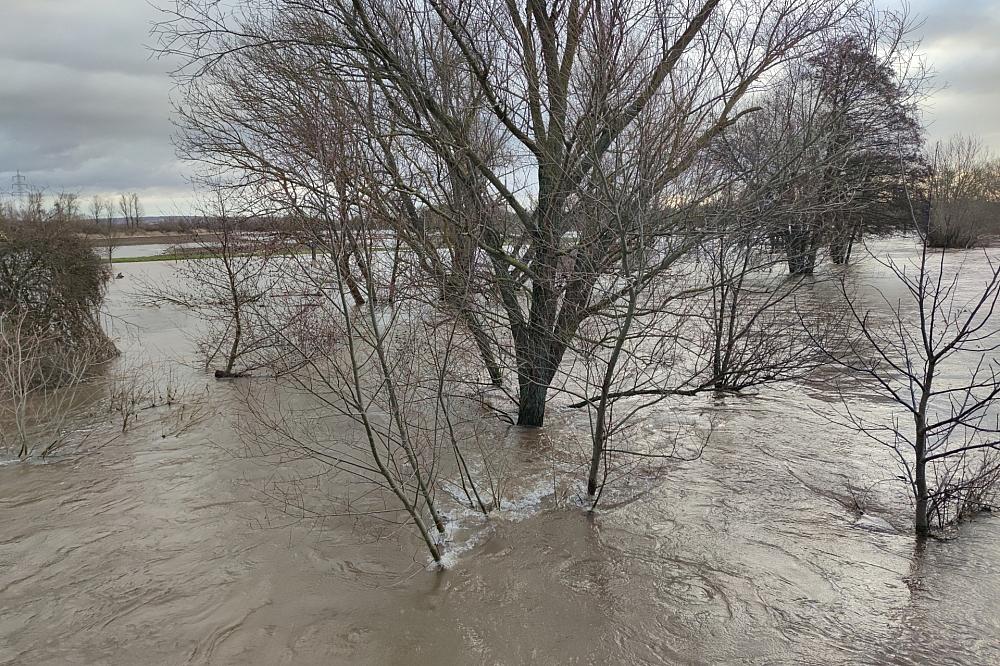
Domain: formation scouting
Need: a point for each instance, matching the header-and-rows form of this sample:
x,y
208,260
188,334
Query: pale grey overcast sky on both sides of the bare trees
x,y
84,108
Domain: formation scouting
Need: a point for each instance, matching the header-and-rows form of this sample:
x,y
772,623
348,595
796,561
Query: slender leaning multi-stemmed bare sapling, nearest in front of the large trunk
x,y
387,370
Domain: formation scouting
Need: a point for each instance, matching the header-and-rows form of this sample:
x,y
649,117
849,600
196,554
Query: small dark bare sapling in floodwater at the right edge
x,y
931,352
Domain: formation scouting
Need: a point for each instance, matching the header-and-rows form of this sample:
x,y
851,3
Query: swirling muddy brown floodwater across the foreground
x,y
164,549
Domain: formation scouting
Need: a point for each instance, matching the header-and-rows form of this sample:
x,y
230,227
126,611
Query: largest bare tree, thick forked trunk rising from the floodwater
x,y
484,124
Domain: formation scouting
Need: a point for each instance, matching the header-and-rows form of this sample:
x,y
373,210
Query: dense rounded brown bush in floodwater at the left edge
x,y
52,286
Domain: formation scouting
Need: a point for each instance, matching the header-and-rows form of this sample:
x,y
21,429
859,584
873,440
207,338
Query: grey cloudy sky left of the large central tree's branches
x,y
83,106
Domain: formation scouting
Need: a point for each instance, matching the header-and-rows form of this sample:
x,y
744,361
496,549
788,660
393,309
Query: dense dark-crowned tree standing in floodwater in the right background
x,y
862,88
